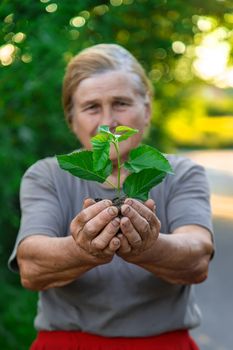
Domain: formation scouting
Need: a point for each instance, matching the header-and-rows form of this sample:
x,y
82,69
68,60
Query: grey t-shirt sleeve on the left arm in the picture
x,y
41,211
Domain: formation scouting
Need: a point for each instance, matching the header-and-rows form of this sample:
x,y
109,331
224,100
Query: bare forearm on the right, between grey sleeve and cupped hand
x,y
178,258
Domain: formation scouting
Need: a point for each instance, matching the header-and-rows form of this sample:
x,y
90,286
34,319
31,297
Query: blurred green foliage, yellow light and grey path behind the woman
x,y
187,49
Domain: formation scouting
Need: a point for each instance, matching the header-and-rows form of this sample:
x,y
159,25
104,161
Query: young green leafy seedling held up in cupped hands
x,y
146,165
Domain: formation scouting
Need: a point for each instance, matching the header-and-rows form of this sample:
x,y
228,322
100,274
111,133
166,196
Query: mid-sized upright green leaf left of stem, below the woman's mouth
x,y
101,149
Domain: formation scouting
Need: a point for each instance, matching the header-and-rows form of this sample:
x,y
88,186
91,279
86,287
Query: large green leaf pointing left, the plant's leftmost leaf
x,y
80,164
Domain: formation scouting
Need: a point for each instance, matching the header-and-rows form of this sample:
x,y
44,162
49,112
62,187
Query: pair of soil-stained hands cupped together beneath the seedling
x,y
95,229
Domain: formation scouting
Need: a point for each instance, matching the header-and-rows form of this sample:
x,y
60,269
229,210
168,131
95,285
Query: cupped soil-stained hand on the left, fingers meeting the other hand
x,y
94,230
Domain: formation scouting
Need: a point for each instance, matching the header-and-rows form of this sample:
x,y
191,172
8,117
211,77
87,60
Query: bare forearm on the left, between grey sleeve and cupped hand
x,y
47,262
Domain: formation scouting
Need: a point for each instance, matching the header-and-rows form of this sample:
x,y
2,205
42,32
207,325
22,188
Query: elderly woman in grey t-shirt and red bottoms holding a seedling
x,y
101,289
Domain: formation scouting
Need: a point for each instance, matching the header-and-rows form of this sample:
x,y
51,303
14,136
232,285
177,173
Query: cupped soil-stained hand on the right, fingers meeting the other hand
x,y
140,228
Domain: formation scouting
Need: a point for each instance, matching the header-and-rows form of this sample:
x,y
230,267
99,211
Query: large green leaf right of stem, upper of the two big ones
x,y
146,157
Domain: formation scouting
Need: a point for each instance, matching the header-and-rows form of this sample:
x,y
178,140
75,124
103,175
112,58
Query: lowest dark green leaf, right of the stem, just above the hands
x,y
139,184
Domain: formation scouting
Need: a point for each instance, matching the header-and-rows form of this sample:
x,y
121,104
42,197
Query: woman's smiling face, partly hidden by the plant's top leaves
x,y
109,98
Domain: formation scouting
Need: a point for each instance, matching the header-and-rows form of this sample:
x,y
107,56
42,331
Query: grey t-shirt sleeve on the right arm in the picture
x,y
189,197
